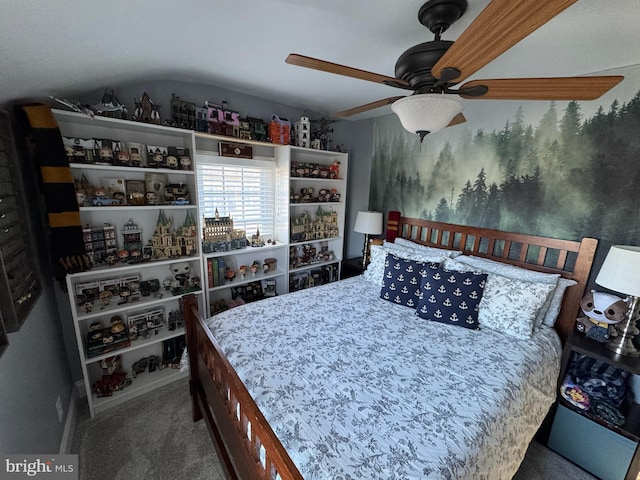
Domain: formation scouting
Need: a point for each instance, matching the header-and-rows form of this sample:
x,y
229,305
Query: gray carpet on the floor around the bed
x,y
153,437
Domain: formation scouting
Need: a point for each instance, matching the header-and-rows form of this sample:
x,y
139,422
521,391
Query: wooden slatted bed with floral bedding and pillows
x,y
340,382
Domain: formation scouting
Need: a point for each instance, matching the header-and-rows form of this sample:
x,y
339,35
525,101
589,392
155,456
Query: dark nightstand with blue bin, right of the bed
x,y
605,450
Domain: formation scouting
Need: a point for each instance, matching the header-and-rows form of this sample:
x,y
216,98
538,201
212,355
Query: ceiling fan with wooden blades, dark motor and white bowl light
x,y
432,69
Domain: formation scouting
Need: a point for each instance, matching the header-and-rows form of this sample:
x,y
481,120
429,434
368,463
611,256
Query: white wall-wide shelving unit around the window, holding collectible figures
x,y
148,213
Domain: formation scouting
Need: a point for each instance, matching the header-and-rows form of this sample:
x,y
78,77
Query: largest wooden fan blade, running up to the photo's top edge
x,y
502,24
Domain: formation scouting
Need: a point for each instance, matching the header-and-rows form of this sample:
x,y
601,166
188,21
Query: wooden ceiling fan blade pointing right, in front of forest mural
x,y
561,88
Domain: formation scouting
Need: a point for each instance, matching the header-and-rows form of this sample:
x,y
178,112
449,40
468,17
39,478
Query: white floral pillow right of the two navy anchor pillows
x,y
510,306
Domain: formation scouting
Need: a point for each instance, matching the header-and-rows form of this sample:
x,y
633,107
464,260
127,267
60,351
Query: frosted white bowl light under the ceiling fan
x,y
427,112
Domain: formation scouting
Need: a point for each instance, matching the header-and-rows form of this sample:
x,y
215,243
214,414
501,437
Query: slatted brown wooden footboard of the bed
x,y
246,445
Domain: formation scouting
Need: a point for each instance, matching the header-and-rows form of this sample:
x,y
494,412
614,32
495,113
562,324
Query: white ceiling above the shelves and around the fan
x,y
64,48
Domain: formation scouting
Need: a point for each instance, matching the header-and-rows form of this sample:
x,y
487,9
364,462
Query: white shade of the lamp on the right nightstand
x,y
620,271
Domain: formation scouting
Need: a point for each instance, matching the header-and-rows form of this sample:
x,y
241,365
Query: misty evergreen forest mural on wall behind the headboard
x,y
560,169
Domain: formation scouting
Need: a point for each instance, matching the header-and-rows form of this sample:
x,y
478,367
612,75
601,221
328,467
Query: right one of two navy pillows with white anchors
x,y
451,297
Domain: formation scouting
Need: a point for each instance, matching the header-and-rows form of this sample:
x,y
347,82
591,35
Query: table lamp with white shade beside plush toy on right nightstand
x,y
620,272
